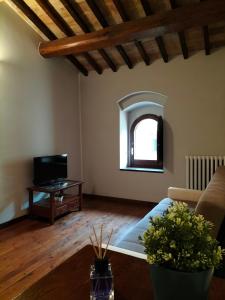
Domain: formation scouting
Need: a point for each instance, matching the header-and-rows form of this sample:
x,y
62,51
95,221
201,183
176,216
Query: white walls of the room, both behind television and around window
x,y
39,115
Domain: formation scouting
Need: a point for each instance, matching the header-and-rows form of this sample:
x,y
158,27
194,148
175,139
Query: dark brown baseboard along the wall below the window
x,y
121,200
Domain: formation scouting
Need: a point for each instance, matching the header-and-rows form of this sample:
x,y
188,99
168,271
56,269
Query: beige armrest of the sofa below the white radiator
x,y
187,195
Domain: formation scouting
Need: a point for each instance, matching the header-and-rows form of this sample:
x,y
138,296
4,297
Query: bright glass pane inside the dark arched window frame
x,y
145,140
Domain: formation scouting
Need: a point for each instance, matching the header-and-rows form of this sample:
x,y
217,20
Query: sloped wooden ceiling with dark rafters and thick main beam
x,y
100,34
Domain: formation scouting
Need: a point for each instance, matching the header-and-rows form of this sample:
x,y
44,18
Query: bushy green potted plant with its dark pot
x,y
182,254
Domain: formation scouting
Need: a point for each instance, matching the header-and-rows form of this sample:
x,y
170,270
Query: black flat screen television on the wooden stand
x,y
49,169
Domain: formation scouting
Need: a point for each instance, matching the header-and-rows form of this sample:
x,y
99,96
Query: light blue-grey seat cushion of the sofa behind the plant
x,y
130,240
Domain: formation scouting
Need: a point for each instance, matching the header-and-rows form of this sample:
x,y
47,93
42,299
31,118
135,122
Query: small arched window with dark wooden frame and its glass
x,y
146,142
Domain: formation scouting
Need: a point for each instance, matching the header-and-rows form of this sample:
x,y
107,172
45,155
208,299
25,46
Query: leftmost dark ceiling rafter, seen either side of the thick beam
x,y
46,31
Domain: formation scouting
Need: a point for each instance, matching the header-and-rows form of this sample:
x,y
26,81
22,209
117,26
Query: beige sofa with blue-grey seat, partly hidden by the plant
x,y
210,203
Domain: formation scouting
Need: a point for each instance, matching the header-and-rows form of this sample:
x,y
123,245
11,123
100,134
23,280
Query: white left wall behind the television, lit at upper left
x,y
38,111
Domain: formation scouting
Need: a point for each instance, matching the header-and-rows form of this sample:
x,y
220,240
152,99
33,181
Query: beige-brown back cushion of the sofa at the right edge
x,y
212,202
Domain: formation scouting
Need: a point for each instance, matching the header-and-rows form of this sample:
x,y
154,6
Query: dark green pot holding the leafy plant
x,y
175,285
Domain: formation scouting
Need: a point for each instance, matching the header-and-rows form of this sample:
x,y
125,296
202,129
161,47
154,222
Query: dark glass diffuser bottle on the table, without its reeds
x,y
101,280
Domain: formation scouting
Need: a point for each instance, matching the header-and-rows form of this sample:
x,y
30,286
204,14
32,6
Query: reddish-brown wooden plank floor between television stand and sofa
x,y
31,248
